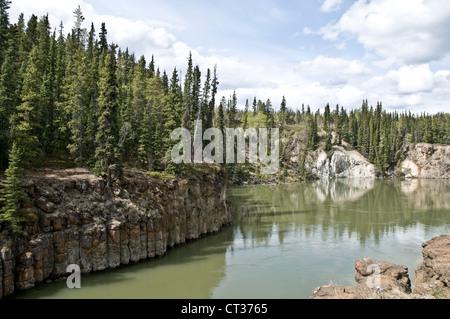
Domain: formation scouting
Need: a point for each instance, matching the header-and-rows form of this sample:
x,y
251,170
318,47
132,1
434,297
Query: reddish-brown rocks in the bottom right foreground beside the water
x,y
384,280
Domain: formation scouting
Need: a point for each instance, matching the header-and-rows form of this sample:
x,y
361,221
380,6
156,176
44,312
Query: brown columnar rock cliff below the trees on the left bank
x,y
73,219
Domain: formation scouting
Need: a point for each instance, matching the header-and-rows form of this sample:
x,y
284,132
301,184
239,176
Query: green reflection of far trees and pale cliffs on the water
x,y
365,208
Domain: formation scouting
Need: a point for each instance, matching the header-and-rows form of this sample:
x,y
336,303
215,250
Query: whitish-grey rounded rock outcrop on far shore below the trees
x,y
341,162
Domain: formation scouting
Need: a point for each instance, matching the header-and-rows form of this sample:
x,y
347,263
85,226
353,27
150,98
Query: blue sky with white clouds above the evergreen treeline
x,y
312,52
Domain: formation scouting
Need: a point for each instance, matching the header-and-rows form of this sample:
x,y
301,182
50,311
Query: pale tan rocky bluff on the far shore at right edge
x,y
426,161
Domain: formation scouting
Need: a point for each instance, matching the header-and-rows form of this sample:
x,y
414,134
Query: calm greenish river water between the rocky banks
x,y
286,241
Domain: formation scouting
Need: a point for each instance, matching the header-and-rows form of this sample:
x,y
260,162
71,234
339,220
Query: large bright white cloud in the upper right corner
x,y
410,31
